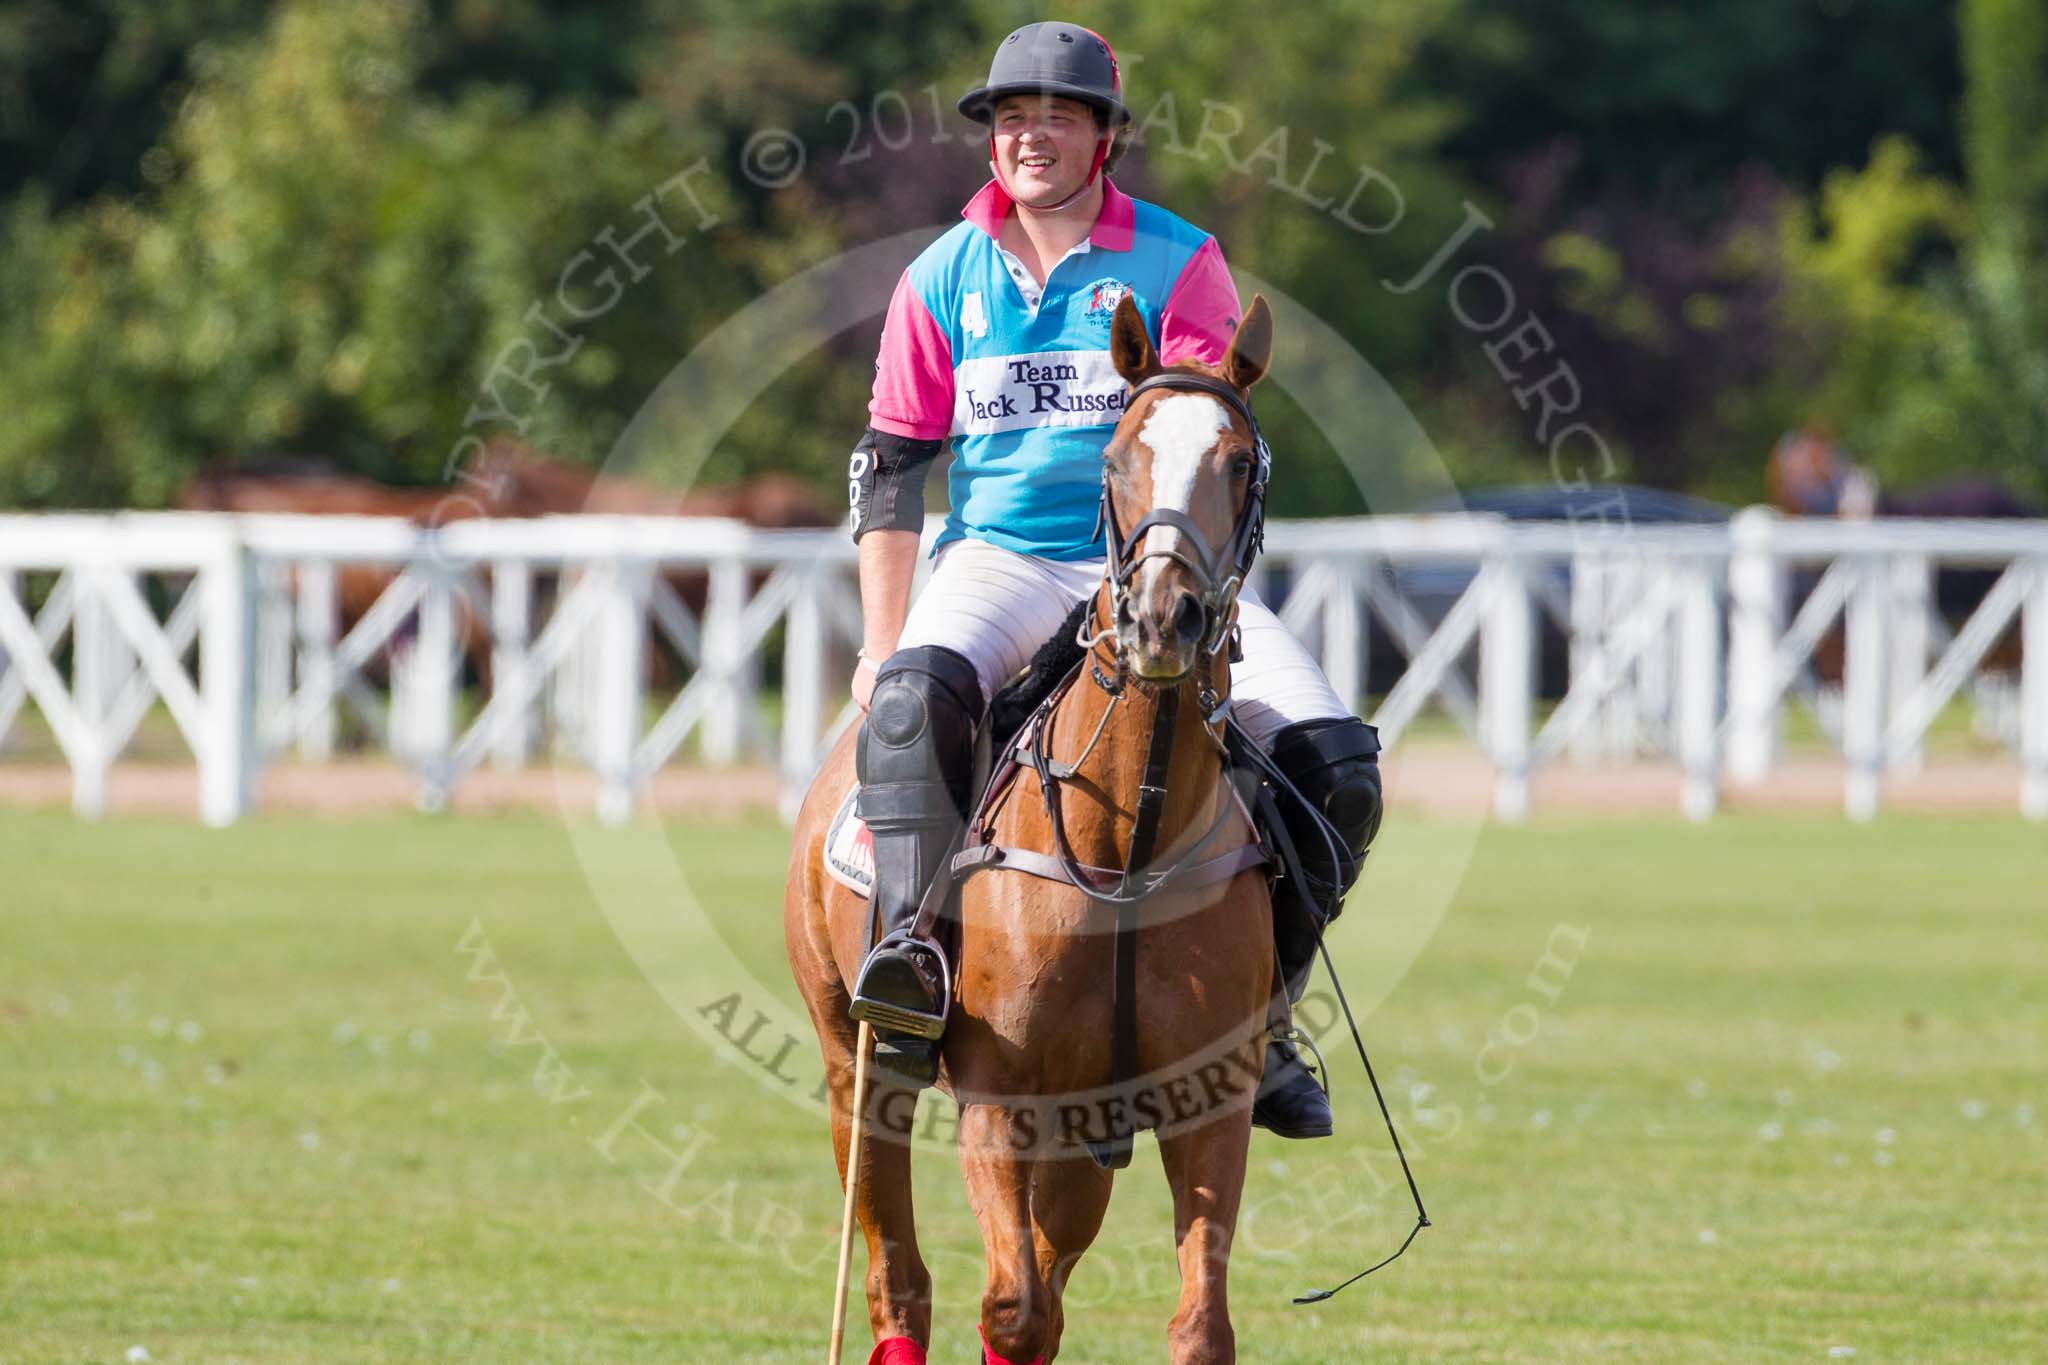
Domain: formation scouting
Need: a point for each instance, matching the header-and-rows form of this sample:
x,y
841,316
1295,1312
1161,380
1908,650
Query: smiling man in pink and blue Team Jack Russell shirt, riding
x,y
998,339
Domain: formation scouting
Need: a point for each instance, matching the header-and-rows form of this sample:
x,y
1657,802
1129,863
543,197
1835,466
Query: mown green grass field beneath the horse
x,y
267,1100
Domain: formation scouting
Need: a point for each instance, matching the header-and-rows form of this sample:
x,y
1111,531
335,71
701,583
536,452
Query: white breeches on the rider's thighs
x,y
998,607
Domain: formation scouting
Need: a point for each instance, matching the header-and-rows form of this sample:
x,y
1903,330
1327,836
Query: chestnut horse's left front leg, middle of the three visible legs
x,y
1017,1307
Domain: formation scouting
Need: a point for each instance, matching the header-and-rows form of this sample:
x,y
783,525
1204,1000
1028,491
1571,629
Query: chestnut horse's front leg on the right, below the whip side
x,y
1207,1172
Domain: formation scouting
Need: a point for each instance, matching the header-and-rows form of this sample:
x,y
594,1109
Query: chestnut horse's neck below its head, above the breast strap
x,y
1101,801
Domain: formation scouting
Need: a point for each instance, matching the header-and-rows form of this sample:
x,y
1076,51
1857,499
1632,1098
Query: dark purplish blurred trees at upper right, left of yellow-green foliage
x,y
1644,155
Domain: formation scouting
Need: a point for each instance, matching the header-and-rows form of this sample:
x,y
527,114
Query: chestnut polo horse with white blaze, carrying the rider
x,y
1029,1051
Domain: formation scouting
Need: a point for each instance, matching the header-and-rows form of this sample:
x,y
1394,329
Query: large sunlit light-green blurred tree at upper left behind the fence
x,y
331,269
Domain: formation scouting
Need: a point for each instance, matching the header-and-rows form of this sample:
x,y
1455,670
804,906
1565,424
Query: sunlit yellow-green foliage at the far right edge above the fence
x,y
1934,300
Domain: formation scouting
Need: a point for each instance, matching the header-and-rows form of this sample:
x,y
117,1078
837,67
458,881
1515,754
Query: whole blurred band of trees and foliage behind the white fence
x,y
245,228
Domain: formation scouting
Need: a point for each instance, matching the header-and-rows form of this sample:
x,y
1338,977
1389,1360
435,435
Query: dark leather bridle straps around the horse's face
x,y
1220,574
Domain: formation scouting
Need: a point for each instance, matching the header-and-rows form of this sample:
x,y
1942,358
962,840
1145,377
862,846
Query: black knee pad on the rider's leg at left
x,y
916,754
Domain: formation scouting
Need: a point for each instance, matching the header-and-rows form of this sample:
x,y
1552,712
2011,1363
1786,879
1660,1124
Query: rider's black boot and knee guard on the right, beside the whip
x,y
1334,764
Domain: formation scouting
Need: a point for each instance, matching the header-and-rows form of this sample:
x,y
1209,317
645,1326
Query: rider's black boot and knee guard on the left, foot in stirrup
x,y
916,762
